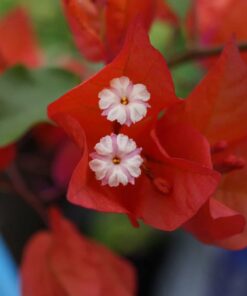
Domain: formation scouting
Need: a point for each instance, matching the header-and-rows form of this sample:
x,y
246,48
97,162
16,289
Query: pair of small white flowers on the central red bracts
x,y
117,159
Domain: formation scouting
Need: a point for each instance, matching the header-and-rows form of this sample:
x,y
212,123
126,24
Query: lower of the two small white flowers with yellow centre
x,y
116,161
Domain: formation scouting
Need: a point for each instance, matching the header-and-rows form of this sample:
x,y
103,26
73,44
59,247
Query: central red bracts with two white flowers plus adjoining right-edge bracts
x,y
171,180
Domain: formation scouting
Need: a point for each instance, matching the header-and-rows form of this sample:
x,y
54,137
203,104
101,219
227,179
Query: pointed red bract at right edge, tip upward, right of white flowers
x,y
218,106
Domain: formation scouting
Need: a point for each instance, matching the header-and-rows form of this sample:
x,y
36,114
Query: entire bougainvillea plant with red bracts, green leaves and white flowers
x,y
115,136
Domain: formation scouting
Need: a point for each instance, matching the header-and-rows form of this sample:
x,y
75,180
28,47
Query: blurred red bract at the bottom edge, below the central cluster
x,y
62,262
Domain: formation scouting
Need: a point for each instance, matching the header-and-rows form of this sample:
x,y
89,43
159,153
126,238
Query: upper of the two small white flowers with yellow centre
x,y
124,101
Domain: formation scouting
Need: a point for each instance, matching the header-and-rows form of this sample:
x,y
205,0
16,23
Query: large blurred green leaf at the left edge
x,y
24,96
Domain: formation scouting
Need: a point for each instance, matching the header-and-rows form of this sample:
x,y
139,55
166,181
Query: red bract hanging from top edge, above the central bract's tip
x,y
99,27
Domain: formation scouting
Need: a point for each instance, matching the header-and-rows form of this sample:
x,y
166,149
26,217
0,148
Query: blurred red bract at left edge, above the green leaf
x,y
17,43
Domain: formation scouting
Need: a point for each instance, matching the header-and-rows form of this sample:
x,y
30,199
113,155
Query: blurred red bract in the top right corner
x,y
214,22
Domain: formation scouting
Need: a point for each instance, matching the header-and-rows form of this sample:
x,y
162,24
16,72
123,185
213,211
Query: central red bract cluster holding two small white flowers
x,y
167,173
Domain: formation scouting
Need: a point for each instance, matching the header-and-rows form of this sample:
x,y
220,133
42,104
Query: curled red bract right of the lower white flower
x,y
185,165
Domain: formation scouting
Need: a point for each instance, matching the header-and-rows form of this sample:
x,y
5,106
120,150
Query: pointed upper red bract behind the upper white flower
x,y
140,62
